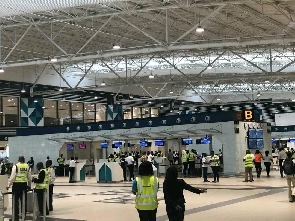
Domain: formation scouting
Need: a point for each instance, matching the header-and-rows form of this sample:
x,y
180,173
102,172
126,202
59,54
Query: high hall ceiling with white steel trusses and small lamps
x,y
246,49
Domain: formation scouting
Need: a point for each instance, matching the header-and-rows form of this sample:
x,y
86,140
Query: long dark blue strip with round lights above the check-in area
x,y
135,123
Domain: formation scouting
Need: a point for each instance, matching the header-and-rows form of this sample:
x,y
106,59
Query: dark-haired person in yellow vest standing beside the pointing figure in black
x,y
145,187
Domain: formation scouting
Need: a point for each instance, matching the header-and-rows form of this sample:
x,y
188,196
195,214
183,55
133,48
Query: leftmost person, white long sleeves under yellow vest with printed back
x,y
20,180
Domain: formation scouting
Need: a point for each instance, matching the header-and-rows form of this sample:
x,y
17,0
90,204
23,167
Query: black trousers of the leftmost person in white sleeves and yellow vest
x,y
17,190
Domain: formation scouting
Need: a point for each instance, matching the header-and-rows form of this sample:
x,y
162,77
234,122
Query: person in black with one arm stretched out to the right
x,y
173,194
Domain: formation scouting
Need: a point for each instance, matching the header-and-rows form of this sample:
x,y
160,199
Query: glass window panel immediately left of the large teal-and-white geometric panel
x,y
10,112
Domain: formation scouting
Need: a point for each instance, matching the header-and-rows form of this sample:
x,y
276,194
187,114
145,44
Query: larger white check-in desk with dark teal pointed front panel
x,y
108,172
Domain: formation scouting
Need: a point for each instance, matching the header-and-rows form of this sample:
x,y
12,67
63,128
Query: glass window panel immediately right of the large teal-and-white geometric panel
x,y
50,113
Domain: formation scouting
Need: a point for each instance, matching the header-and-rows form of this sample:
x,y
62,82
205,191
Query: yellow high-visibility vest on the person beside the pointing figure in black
x,y
146,196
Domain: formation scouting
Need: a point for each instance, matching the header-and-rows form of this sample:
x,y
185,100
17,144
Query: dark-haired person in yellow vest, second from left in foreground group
x,y
41,187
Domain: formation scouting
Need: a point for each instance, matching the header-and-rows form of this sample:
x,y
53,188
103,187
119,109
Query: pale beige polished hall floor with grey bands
x,y
231,199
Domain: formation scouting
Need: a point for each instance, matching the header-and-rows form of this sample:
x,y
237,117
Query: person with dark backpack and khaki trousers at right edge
x,y
289,170
